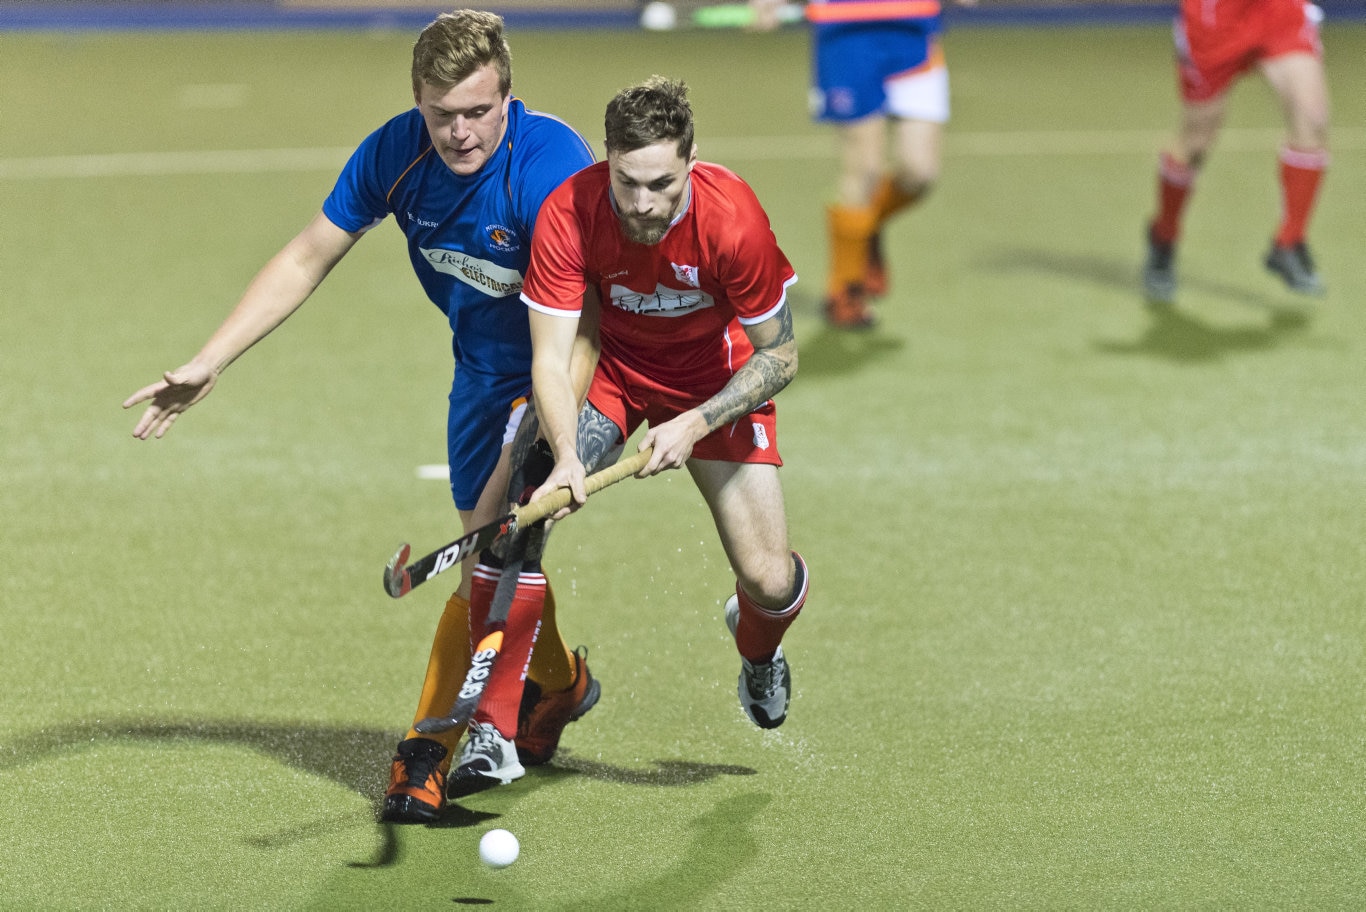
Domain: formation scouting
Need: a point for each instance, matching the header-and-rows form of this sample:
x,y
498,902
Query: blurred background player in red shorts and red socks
x,y
1219,42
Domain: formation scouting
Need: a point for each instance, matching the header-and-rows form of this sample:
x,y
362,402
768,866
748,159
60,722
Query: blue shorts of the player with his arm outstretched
x,y
476,429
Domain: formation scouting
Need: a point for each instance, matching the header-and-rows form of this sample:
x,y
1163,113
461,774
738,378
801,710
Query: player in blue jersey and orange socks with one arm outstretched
x,y
464,174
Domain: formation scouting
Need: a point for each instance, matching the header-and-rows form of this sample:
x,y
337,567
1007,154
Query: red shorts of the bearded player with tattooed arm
x,y
629,398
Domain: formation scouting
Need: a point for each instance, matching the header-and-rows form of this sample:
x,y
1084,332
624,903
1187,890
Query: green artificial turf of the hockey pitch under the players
x,y
1085,626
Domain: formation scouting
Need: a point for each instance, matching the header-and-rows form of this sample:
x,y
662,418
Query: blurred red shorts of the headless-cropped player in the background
x,y
1221,40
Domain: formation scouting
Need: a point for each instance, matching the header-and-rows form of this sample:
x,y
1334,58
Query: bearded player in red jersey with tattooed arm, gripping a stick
x,y
696,339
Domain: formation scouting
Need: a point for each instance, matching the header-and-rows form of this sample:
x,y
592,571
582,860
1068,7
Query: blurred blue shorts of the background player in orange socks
x,y
854,63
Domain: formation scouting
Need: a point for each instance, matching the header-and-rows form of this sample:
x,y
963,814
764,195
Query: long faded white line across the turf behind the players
x,y
815,147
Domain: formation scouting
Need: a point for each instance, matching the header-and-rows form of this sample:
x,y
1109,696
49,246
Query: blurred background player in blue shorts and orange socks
x,y
880,79
